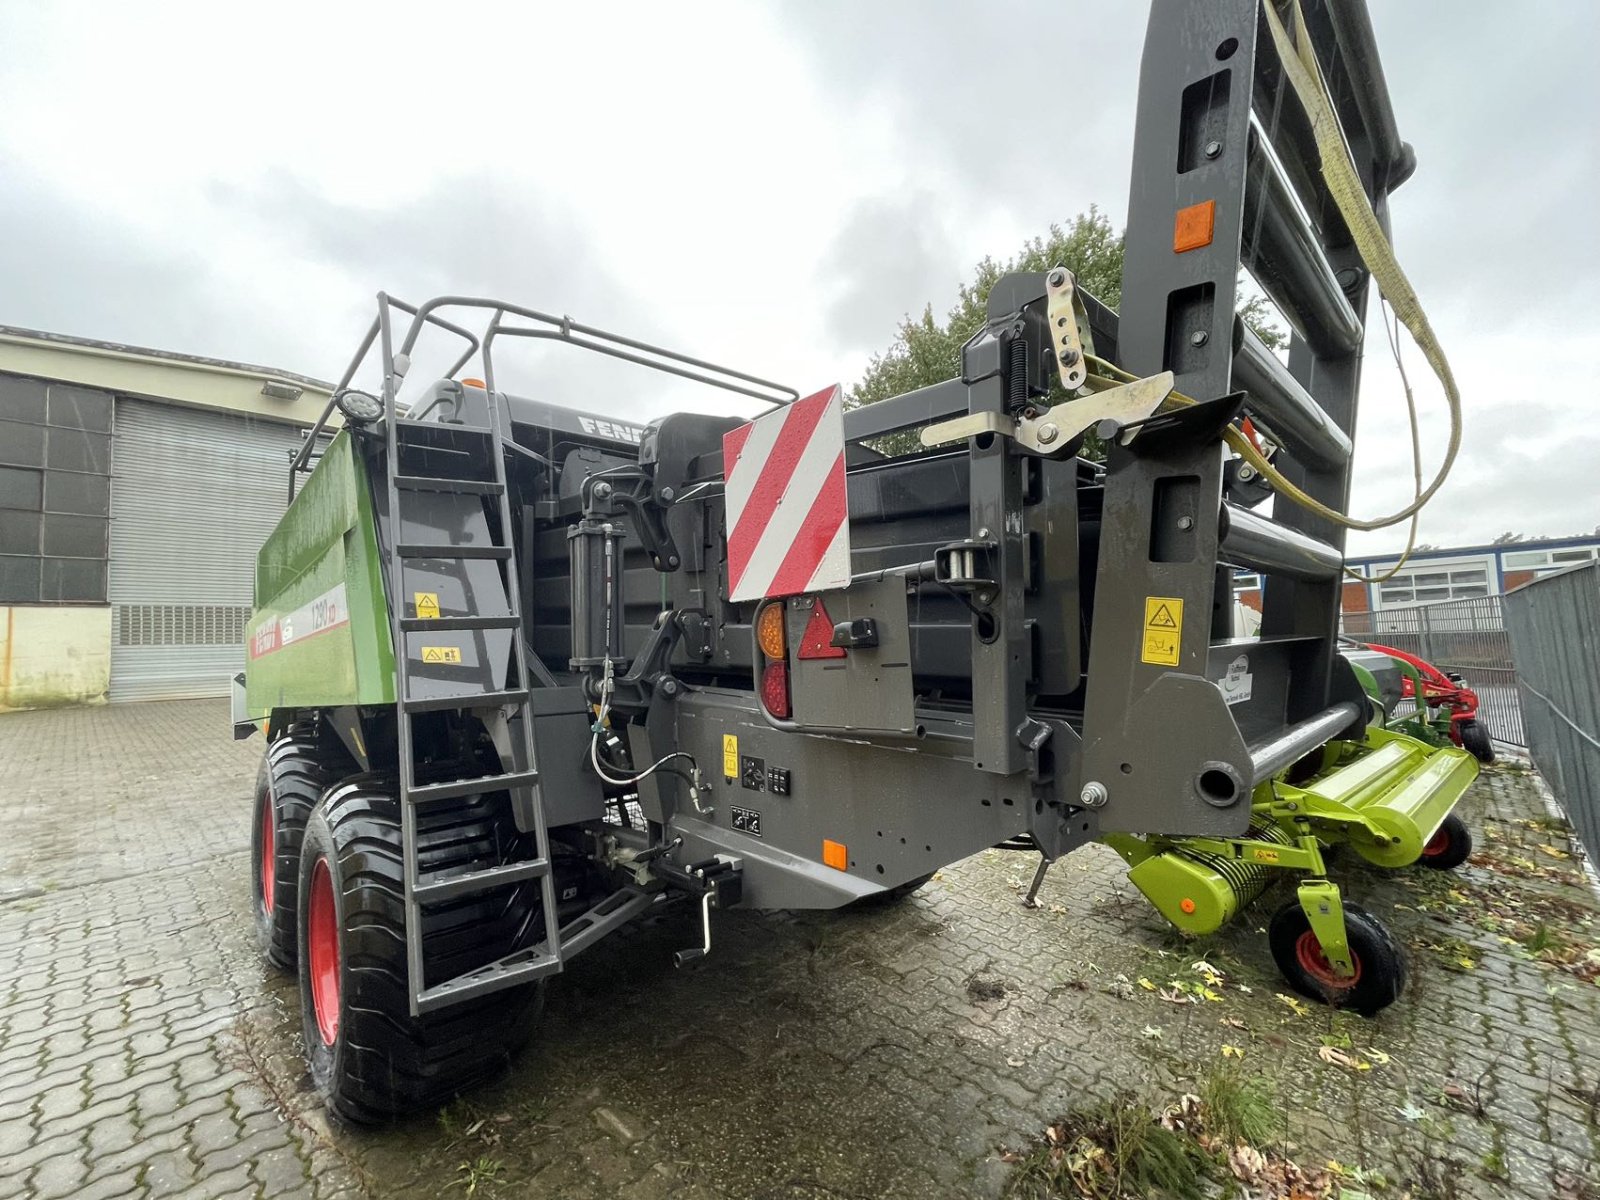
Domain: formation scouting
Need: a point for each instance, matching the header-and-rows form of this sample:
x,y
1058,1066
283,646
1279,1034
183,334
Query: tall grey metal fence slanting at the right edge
x,y
1556,634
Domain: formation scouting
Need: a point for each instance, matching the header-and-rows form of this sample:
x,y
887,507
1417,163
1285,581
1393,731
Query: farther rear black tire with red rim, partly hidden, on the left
x,y
289,785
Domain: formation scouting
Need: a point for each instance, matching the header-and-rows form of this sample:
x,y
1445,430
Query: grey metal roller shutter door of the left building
x,y
194,494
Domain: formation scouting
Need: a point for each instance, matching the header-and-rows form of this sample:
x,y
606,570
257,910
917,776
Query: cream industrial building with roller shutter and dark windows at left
x,y
135,489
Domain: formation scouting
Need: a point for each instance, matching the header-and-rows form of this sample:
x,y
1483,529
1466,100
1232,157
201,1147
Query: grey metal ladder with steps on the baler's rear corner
x,y
508,705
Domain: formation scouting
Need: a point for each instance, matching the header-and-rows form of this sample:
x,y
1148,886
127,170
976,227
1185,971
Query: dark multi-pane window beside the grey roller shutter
x,y
55,492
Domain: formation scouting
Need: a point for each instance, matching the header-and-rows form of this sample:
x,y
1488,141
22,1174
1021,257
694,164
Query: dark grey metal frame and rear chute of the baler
x,y
1004,698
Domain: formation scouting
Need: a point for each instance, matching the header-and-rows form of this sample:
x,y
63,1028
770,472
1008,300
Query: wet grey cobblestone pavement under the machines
x,y
145,1050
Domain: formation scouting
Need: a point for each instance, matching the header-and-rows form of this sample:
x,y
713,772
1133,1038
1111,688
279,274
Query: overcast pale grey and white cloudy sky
x,y
766,186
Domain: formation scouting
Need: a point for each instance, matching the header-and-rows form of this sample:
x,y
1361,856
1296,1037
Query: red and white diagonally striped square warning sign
x,y
788,518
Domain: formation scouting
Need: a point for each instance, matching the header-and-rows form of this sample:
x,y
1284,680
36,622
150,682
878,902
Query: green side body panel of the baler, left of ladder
x,y
319,636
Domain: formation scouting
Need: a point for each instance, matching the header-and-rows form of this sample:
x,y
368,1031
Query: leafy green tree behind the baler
x,y
927,351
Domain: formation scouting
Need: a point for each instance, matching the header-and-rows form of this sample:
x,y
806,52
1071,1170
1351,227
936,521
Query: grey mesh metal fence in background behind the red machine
x,y
1462,636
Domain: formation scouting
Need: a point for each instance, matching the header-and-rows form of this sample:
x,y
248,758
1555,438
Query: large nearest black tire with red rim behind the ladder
x,y
370,1060
